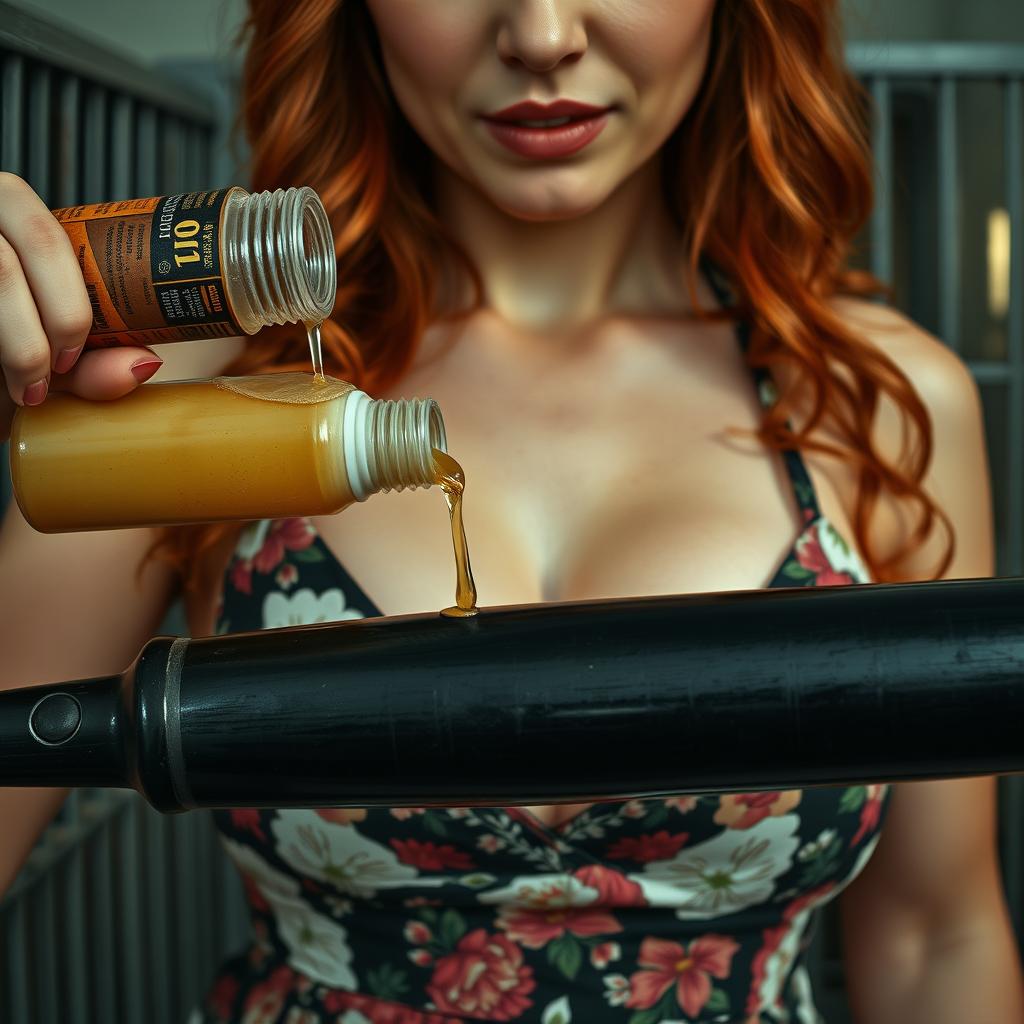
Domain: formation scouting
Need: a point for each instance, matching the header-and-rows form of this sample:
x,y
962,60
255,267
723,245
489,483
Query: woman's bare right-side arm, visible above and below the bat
x,y
926,933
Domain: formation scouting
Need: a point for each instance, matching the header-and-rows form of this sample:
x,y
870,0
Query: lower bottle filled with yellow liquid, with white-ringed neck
x,y
247,448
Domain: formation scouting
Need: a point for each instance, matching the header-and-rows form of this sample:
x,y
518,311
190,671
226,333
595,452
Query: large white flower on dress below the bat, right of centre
x,y
730,873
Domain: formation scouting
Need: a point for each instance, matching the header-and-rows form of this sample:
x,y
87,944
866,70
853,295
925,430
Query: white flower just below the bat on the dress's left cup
x,y
340,857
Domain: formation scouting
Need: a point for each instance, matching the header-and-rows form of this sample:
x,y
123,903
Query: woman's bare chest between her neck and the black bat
x,y
605,471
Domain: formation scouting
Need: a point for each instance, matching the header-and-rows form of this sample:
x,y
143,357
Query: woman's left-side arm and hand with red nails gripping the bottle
x,y
70,606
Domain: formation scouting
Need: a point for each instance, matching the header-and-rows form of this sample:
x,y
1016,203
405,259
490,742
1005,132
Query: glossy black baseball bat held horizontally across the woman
x,y
729,692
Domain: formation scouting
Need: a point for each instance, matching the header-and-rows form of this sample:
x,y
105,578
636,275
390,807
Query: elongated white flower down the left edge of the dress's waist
x,y
317,946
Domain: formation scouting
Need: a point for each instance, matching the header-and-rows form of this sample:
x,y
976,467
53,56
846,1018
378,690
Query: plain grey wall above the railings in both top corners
x,y
203,29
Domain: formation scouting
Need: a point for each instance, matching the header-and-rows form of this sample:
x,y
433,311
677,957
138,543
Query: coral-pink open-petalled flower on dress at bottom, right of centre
x,y
690,970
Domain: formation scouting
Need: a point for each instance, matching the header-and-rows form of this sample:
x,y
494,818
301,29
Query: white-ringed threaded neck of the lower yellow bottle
x,y
390,443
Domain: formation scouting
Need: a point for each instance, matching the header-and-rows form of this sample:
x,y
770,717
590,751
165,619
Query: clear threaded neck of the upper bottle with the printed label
x,y
279,259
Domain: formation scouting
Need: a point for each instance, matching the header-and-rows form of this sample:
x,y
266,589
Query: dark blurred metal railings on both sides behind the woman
x,y
121,914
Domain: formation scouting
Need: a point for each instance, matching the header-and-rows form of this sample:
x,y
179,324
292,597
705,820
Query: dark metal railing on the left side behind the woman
x,y
120,914
